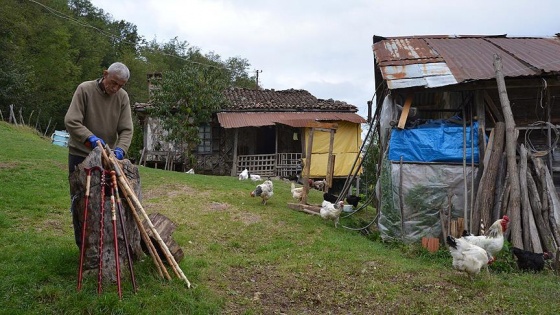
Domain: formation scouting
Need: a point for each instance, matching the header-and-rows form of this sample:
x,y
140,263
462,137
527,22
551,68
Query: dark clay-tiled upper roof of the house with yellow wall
x,y
242,99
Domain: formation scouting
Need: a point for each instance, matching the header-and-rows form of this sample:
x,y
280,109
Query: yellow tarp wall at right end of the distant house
x,y
346,146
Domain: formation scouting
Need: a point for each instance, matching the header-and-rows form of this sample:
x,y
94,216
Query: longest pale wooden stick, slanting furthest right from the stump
x,y
138,207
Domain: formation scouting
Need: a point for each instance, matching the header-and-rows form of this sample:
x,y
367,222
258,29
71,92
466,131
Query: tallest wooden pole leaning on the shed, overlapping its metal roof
x,y
511,145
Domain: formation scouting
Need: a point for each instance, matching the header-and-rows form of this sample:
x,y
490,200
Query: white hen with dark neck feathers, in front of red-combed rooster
x,y
468,257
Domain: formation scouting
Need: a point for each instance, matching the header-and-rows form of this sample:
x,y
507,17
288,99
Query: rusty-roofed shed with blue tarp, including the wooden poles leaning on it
x,y
440,114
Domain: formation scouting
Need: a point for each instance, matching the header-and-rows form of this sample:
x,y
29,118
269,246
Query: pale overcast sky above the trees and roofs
x,y
324,46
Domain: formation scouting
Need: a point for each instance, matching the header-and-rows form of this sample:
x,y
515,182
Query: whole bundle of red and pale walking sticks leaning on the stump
x,y
119,183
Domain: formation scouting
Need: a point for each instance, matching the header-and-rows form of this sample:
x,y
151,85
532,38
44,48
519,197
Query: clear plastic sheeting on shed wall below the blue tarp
x,y
413,196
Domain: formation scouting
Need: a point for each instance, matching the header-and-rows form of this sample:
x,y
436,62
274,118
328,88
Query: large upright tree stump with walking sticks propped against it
x,y
100,200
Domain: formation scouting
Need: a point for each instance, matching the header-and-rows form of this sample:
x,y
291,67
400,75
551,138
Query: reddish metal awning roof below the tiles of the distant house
x,y
294,119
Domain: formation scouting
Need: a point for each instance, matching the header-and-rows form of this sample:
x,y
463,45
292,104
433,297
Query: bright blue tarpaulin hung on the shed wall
x,y
435,141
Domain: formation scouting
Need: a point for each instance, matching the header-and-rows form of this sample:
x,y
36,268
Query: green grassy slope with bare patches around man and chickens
x,y
242,257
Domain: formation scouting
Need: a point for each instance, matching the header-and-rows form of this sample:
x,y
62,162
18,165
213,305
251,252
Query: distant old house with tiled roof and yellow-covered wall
x,y
267,132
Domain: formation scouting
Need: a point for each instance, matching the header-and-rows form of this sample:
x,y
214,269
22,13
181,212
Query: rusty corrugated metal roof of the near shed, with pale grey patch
x,y
433,61
